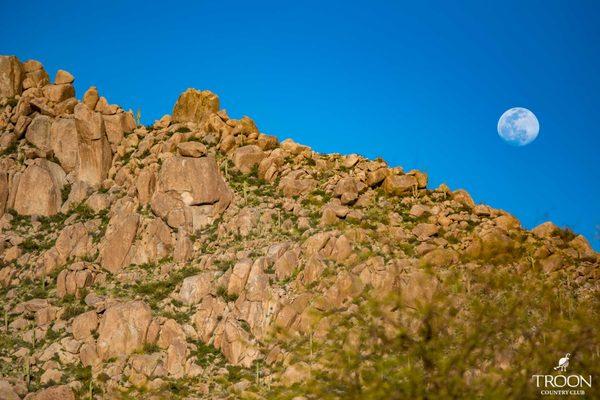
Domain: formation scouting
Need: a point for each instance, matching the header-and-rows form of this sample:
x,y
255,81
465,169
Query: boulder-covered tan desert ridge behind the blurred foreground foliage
x,y
175,259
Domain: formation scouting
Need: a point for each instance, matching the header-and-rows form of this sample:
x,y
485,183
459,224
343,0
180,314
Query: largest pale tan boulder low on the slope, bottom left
x,y
123,329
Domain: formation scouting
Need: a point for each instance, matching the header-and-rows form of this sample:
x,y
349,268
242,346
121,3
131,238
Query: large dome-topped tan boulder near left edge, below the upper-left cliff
x,y
39,189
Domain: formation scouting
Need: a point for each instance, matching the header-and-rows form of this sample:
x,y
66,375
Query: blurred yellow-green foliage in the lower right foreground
x,y
470,334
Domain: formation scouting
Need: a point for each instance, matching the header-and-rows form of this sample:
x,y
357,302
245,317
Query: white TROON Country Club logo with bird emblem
x,y
560,384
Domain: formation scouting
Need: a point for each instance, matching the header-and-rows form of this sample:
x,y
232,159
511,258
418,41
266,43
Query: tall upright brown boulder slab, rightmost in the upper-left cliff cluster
x,y
95,155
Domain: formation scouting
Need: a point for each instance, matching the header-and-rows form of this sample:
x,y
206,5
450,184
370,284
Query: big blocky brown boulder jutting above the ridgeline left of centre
x,y
194,105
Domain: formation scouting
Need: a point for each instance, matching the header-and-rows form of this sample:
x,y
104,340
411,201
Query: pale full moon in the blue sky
x,y
518,126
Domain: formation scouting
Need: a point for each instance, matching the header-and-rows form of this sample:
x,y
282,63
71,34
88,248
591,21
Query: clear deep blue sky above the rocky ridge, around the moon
x,y
421,84
